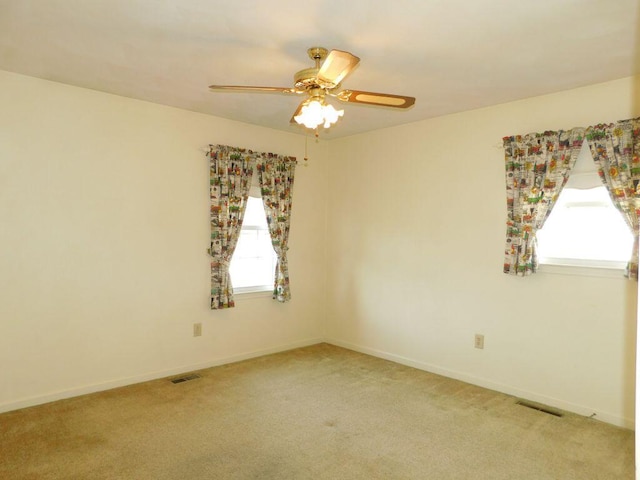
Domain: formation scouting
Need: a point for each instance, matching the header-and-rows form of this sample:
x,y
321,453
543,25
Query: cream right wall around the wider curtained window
x,y
417,222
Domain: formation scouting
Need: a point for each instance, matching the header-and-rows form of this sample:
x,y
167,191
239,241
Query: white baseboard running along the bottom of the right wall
x,y
483,382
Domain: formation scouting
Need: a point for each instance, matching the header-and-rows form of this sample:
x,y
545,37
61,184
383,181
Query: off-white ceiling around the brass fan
x,y
452,55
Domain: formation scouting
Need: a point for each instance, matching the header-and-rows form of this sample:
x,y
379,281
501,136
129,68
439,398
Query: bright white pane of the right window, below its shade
x,y
584,224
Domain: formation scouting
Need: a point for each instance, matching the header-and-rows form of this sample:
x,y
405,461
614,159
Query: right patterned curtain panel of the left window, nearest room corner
x,y
275,173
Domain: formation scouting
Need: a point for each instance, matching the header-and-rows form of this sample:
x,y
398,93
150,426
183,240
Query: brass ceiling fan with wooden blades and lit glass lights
x,y
325,79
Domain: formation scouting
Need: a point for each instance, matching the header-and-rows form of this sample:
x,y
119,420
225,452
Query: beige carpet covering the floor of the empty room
x,y
320,412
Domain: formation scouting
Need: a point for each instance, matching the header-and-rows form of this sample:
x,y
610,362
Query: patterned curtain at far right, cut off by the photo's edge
x,y
616,150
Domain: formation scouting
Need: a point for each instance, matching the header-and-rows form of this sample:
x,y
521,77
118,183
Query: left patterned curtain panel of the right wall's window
x,y
537,168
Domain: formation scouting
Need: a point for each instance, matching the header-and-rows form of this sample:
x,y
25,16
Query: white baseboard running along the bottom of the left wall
x,y
122,382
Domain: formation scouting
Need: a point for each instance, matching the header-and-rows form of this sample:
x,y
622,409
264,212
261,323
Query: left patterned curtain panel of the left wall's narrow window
x,y
230,171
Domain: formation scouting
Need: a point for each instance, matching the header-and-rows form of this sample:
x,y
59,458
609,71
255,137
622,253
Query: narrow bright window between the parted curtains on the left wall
x,y
253,263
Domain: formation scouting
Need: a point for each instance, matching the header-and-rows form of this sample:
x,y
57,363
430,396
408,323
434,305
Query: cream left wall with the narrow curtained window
x,y
103,237
